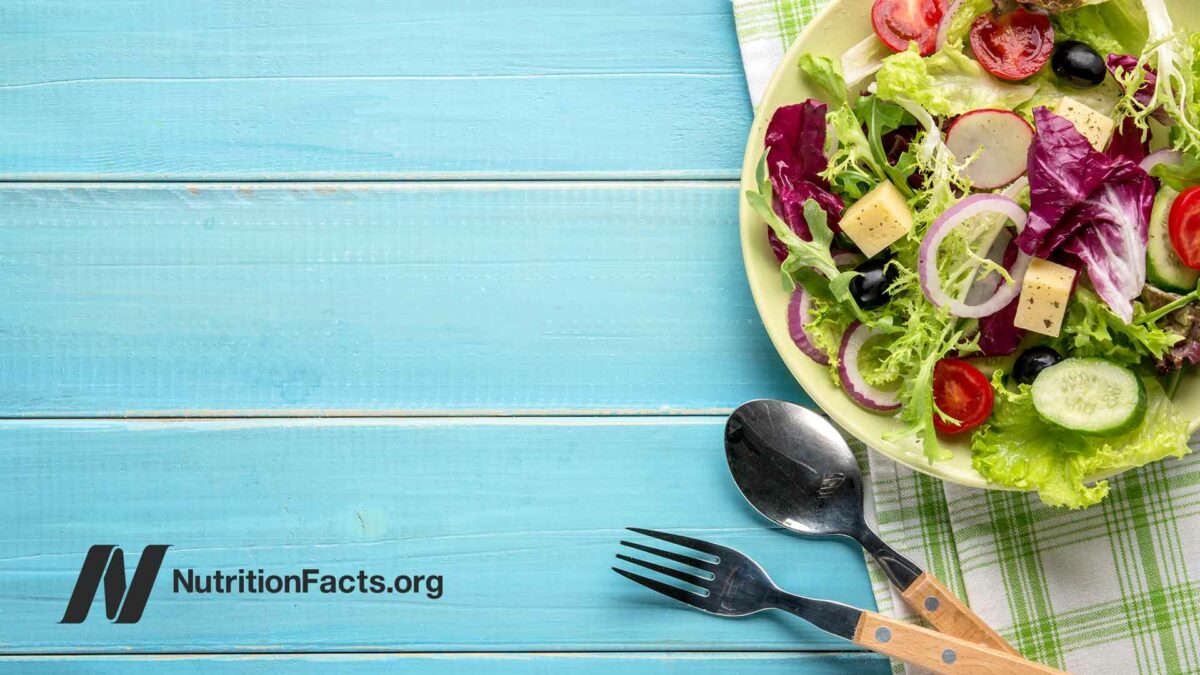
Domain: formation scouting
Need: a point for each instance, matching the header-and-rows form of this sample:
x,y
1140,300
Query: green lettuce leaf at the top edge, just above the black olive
x,y
1117,27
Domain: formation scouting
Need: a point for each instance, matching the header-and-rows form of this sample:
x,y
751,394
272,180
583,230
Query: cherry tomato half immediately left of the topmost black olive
x,y
1013,46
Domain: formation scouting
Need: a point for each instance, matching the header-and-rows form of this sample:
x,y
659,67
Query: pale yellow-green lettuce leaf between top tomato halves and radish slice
x,y
949,83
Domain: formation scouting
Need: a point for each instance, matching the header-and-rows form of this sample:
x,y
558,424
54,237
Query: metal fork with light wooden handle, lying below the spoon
x,y
735,586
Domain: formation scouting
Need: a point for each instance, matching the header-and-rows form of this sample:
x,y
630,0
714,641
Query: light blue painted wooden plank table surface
x,y
445,289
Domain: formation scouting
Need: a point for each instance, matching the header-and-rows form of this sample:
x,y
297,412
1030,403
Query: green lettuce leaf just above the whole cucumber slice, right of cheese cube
x,y
1091,330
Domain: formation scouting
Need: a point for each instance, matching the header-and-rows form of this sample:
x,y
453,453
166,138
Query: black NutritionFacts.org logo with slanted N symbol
x,y
104,570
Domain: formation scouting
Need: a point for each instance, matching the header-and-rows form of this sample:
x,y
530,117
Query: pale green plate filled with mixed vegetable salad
x,y
973,231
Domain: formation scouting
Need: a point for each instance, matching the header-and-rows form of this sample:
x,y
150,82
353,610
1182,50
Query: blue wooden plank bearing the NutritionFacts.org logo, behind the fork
x,y
523,517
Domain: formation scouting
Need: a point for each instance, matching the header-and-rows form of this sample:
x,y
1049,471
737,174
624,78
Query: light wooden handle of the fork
x,y
939,653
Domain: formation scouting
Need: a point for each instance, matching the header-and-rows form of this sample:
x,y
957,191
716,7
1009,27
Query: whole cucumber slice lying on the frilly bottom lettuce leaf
x,y
1091,397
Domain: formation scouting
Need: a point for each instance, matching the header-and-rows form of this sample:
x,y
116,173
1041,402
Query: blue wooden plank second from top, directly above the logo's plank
x,y
368,300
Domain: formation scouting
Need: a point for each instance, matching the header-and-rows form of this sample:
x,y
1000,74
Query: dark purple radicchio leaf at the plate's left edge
x,y
796,142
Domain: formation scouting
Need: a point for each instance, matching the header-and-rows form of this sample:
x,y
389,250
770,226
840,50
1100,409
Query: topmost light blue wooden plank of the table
x,y
283,89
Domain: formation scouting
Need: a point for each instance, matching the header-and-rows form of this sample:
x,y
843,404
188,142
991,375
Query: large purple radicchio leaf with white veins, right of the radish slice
x,y
1091,206
